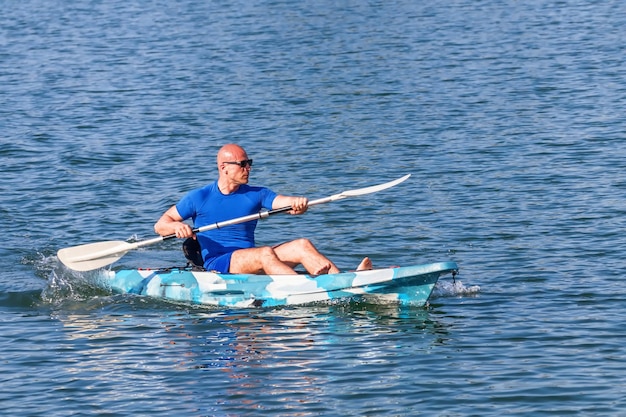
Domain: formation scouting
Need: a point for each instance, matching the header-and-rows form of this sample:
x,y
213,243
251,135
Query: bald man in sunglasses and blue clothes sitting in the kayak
x,y
231,249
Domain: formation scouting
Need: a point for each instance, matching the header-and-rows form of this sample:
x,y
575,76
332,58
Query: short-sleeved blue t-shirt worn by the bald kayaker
x,y
208,205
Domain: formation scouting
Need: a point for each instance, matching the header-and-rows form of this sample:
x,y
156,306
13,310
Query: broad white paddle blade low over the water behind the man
x,y
93,255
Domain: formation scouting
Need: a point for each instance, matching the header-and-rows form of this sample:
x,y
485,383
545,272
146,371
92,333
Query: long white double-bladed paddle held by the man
x,y
100,254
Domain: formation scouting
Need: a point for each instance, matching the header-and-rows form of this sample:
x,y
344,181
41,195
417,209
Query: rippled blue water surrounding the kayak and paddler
x,y
509,115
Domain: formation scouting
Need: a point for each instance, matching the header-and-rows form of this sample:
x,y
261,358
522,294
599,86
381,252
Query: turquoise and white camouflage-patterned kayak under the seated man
x,y
410,285
